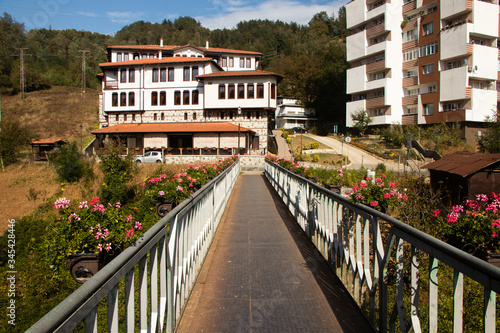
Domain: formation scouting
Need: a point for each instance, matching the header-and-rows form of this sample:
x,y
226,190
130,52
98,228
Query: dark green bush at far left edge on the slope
x,y
13,138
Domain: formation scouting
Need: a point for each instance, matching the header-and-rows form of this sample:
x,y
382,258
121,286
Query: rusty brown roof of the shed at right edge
x,y
464,163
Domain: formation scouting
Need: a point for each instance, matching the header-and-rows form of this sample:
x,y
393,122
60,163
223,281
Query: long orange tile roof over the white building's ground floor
x,y
215,127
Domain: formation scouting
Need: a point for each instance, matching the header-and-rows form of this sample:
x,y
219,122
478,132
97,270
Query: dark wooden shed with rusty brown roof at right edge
x,y
463,175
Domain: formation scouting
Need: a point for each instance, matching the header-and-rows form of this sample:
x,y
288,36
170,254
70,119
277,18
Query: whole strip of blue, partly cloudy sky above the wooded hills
x,y
107,17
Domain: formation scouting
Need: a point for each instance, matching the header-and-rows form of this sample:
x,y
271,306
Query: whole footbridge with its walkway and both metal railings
x,y
273,252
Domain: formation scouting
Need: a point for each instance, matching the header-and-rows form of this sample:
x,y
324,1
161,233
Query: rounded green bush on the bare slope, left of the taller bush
x,y
70,164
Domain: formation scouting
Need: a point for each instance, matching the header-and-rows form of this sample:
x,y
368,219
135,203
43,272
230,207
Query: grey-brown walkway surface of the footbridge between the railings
x,y
263,275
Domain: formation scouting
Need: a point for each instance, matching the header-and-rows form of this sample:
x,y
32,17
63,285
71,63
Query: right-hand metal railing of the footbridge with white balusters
x,y
344,232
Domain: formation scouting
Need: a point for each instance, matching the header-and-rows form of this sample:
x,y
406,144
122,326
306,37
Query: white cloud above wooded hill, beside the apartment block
x,y
231,12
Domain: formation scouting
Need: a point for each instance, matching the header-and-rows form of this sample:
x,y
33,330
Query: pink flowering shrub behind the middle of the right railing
x,y
378,194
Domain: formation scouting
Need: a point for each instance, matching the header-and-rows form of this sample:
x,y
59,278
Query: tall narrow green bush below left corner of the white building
x,y
118,171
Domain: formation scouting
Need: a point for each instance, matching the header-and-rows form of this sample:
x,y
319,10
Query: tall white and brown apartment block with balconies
x,y
423,61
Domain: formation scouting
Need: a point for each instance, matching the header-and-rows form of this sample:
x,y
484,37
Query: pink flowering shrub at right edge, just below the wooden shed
x,y
475,222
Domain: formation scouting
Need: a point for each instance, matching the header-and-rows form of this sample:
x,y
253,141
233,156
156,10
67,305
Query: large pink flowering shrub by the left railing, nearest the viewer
x,y
89,227
